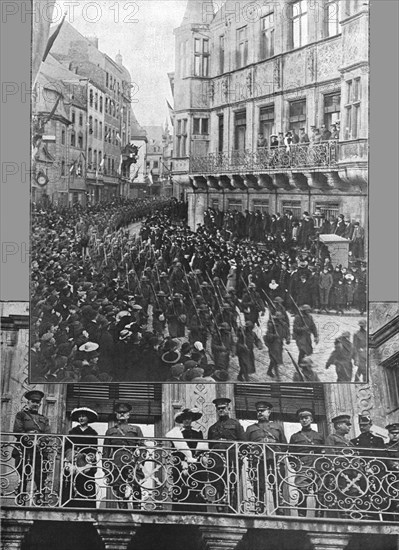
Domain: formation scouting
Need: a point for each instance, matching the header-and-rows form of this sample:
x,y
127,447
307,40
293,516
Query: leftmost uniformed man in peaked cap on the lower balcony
x,y
30,454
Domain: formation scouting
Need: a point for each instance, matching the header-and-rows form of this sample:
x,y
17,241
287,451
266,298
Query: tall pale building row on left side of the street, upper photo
x,y
99,123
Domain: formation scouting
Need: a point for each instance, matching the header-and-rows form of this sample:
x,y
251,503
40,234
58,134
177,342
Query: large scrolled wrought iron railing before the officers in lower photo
x,y
252,479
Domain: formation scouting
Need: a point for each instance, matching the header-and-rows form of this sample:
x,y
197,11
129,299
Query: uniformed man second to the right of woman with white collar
x,y
264,463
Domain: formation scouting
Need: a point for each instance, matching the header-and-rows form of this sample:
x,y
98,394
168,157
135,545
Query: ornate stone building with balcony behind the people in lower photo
x,y
156,523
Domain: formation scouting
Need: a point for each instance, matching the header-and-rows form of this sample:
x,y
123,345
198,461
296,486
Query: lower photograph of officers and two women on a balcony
x,y
193,466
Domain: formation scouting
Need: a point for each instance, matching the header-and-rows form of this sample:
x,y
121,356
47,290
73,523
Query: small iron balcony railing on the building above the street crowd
x,y
321,155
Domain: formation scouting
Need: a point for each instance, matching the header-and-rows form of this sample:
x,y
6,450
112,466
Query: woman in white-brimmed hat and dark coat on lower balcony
x,y
79,489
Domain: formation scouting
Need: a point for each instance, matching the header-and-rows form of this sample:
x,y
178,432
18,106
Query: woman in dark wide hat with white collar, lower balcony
x,y
185,466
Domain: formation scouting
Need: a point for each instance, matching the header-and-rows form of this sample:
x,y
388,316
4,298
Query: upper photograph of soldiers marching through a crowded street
x,y
199,195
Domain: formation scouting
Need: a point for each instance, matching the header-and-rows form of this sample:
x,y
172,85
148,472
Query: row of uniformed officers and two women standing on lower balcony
x,y
327,470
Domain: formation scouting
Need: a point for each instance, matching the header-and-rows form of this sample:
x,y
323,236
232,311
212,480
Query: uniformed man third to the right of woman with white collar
x,y
307,443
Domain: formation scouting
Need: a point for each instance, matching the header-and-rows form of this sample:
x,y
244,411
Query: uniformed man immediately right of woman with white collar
x,y
223,455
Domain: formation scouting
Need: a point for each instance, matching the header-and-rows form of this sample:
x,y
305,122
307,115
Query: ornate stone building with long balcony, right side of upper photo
x,y
245,71
